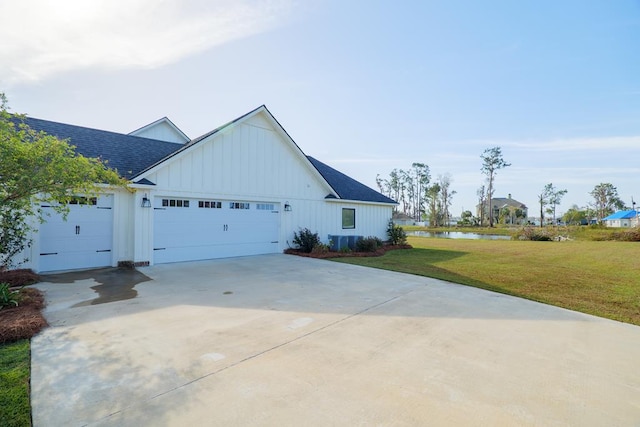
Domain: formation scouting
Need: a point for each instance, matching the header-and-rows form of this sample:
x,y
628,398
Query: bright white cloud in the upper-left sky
x,y
42,38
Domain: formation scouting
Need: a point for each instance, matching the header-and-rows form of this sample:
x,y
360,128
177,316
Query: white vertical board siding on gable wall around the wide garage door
x,y
252,162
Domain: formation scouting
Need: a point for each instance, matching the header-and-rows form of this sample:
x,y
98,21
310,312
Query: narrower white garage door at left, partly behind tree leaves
x,y
84,240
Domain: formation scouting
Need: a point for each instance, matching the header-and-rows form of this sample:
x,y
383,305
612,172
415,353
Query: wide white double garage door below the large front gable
x,y
196,229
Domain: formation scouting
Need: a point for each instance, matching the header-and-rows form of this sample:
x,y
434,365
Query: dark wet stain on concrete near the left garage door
x,y
115,284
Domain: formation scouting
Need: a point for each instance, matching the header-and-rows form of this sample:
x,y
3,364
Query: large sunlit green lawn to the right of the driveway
x,y
600,278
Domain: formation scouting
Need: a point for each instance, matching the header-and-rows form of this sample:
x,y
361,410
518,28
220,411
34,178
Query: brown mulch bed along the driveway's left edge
x,y
25,320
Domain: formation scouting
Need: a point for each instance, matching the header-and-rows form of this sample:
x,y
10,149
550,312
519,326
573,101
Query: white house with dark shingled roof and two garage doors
x,y
241,189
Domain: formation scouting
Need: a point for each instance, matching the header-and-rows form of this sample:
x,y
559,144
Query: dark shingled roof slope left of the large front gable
x,y
127,154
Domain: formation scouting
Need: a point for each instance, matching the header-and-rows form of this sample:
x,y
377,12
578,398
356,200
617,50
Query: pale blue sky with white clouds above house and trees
x,y
364,86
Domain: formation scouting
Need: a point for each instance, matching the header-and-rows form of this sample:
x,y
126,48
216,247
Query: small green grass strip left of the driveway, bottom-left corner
x,y
15,409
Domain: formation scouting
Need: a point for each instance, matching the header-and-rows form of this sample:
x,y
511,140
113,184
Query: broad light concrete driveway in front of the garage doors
x,y
283,340
